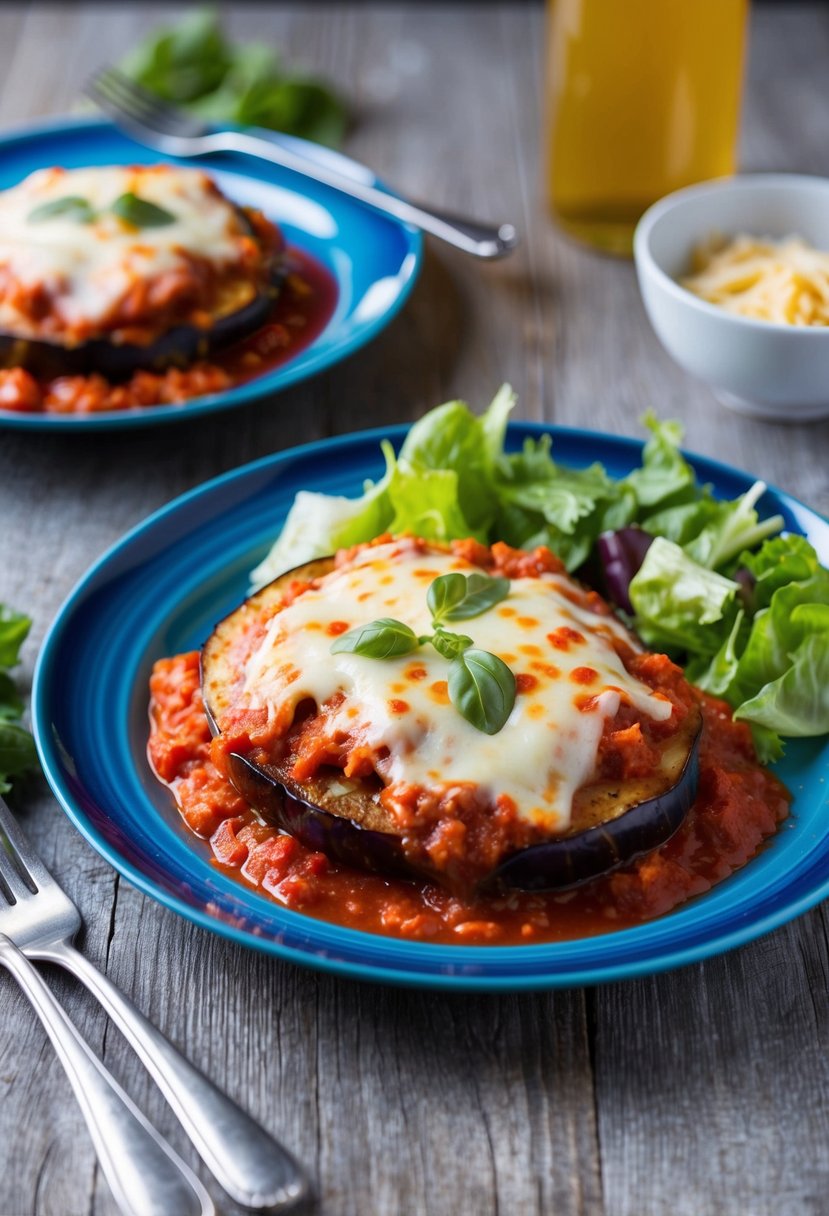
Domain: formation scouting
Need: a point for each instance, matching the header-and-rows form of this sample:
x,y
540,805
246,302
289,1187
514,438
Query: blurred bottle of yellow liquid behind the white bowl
x,y
644,98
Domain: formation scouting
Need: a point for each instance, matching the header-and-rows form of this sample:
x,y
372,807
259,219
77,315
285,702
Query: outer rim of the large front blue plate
x,y
444,967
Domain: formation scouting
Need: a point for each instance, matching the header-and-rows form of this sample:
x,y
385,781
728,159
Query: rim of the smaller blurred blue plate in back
x,y
296,370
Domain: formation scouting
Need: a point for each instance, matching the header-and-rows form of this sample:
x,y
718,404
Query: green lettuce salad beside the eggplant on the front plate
x,y
746,610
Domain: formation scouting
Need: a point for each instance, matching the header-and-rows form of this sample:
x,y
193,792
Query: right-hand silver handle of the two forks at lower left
x,y
246,1161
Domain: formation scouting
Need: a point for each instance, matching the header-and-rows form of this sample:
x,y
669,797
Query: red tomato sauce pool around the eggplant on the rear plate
x,y
304,307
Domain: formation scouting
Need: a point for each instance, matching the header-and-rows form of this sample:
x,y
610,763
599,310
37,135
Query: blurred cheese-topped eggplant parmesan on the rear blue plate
x,y
116,268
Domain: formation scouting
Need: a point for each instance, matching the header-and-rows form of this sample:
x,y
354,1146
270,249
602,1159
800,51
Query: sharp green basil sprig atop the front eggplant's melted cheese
x,y
481,685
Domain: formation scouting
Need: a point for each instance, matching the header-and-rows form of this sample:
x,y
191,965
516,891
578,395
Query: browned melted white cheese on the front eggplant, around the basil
x,y
573,680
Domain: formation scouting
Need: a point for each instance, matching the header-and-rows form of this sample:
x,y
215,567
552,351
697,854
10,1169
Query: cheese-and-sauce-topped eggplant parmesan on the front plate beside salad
x,y
370,761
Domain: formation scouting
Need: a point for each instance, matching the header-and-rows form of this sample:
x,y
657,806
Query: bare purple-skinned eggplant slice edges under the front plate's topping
x,y
617,821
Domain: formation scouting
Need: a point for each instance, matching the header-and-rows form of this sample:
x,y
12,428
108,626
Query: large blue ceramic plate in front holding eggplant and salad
x,y
162,589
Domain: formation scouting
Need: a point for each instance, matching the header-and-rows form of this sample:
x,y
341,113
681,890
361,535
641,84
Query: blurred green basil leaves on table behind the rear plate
x,y
196,66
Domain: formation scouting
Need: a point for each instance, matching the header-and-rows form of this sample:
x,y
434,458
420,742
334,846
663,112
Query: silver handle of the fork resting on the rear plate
x,y
481,240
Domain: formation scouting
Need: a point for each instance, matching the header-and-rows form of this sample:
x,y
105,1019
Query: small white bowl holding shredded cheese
x,y
779,373
